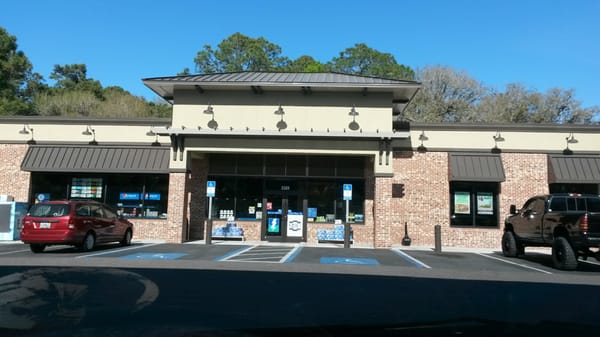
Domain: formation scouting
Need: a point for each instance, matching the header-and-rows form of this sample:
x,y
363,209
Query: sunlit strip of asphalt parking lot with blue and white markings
x,y
455,261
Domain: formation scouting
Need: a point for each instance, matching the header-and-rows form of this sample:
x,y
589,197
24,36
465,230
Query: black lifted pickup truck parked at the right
x,y
569,223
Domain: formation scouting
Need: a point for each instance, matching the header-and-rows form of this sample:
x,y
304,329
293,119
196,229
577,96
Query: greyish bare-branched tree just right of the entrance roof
x,y
447,95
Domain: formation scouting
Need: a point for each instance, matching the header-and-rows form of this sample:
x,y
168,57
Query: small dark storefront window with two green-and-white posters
x,y
474,204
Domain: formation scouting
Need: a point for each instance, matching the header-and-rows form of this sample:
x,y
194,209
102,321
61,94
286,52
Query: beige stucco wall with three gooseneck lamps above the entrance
x,y
319,111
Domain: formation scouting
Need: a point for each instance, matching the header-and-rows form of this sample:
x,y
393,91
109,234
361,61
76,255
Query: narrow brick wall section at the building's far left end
x,y
13,181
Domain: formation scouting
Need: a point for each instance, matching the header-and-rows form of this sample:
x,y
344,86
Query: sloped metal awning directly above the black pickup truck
x,y
574,169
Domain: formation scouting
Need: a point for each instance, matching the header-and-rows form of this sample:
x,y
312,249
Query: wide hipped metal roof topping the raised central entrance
x,y
305,82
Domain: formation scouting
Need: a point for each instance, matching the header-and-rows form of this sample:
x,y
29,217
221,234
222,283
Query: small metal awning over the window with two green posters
x,y
476,167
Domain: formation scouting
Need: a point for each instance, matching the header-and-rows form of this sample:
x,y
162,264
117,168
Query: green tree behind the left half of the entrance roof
x,y
240,53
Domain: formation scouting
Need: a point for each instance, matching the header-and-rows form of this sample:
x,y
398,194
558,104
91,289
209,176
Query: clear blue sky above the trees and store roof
x,y
539,43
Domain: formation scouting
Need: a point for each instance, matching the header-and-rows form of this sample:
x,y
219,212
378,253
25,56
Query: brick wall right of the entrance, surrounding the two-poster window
x,y
426,199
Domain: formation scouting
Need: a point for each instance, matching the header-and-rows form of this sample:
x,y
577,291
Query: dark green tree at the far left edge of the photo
x,y
15,70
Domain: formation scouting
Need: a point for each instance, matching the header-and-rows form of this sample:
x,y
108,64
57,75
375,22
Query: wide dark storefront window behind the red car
x,y
134,195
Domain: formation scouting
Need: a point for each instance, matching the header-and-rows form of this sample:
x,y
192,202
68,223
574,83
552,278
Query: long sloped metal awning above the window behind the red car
x,y
97,159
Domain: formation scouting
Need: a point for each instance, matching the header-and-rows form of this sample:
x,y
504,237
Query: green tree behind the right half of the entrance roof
x,y
362,60
